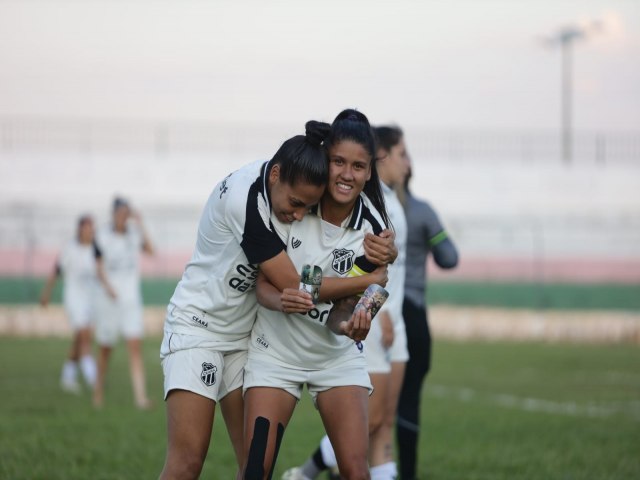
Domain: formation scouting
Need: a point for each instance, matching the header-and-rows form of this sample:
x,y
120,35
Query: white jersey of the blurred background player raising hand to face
x,y
121,260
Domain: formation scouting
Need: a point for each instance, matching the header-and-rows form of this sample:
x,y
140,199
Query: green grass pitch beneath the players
x,y
490,411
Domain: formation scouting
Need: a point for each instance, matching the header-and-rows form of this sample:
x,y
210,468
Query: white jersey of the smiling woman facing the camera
x,y
303,340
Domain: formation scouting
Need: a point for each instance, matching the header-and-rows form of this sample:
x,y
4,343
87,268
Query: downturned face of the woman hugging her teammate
x,y
291,202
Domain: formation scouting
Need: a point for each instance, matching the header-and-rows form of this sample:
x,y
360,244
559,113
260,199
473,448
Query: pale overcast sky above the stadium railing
x,y
476,63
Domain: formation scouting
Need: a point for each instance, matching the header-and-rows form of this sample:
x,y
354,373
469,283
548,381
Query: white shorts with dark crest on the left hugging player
x,y
194,364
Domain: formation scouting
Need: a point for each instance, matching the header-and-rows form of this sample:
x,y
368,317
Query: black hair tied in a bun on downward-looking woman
x,y
303,157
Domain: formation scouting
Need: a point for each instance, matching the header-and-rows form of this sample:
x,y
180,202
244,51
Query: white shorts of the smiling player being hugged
x,y
262,371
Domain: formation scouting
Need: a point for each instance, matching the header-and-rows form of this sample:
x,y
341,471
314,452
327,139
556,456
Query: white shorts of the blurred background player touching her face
x,y
118,318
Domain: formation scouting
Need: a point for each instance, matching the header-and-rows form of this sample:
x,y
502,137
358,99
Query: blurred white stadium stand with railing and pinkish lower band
x,y
513,207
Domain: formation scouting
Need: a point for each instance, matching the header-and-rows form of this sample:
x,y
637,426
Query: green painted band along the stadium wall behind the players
x,y
158,291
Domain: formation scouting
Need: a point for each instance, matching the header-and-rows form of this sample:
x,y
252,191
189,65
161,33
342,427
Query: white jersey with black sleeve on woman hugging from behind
x,y
215,297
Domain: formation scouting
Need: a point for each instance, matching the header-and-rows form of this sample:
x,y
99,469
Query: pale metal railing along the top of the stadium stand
x,y
165,138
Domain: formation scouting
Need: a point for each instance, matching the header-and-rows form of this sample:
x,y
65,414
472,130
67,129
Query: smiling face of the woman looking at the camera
x,y
349,170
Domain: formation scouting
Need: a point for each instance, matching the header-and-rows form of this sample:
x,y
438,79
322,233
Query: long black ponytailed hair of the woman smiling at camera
x,y
351,125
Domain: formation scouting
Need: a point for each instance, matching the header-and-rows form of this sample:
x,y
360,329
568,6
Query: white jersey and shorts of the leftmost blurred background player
x,y
77,263
